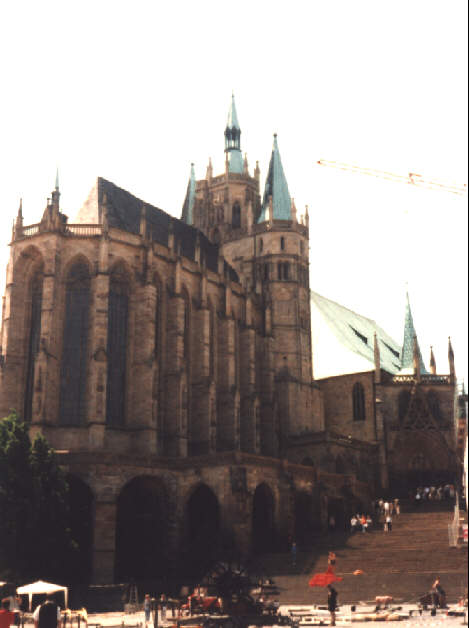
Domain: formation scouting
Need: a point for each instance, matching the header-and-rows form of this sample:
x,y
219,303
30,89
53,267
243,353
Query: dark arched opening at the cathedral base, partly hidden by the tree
x,y
81,522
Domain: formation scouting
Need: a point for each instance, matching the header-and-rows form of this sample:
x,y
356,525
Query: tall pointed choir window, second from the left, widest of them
x,y
75,345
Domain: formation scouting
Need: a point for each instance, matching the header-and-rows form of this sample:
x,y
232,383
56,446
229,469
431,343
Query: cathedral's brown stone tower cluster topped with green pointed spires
x,y
268,245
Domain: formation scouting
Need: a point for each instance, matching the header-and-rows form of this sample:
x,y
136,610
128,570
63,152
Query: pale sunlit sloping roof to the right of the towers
x,y
345,339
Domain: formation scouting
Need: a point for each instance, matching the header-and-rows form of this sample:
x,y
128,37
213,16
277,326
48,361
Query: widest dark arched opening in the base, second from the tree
x,y
142,530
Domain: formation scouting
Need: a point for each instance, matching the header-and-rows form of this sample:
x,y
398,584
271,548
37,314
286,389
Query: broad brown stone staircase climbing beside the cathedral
x,y
402,563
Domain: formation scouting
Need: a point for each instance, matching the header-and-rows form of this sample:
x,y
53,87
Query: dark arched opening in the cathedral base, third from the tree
x,y
202,534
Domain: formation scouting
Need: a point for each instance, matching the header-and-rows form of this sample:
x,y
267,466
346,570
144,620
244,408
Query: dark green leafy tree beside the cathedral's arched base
x,y
35,539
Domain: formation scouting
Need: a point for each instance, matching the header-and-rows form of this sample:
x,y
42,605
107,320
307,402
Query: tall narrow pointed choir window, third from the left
x,y
118,312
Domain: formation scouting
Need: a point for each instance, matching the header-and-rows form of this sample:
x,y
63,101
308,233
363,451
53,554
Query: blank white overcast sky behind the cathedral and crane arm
x,y
135,91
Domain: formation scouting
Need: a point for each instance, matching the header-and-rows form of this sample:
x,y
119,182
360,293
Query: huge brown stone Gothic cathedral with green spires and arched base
x,y
170,364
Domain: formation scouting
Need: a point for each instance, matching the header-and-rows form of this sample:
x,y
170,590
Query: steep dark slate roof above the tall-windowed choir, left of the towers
x,y
124,211
